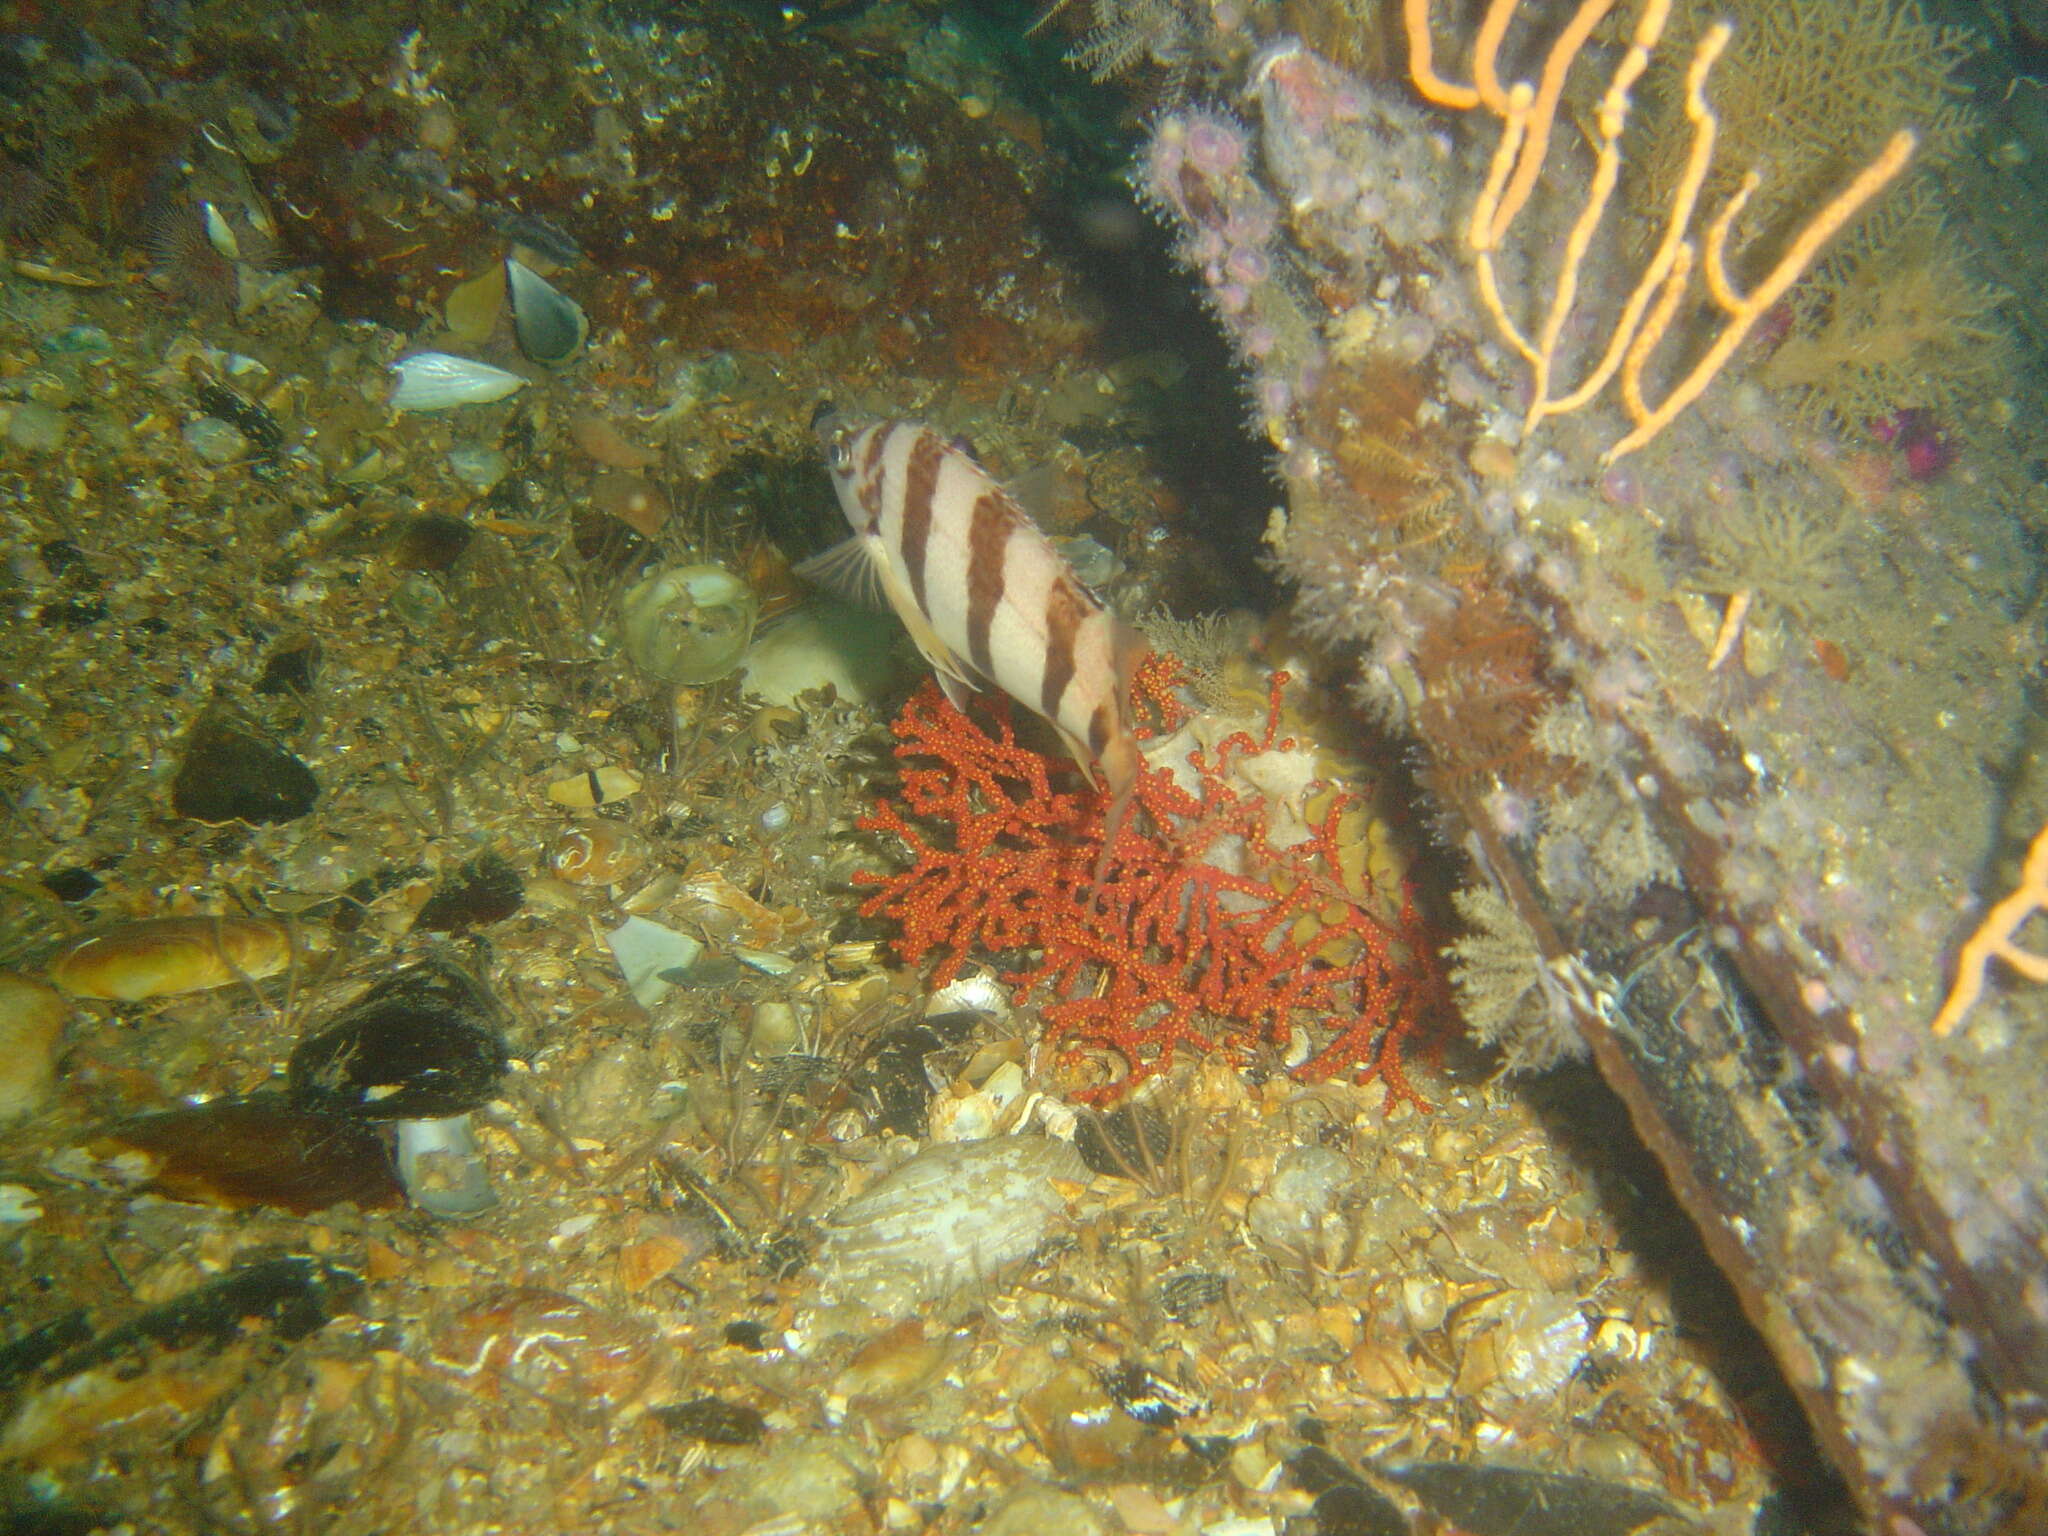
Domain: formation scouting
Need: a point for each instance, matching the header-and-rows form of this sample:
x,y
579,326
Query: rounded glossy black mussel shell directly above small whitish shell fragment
x,y
415,1048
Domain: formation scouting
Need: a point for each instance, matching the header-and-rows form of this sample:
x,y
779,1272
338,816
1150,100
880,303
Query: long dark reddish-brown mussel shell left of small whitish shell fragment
x,y
261,1152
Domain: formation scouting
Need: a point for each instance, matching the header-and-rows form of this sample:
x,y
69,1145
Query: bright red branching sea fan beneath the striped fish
x,y
1203,937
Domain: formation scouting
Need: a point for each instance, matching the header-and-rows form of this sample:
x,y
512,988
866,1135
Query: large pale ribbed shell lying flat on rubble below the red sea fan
x,y
951,1218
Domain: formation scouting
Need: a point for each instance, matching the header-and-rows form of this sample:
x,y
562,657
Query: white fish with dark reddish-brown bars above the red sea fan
x,y
982,591
